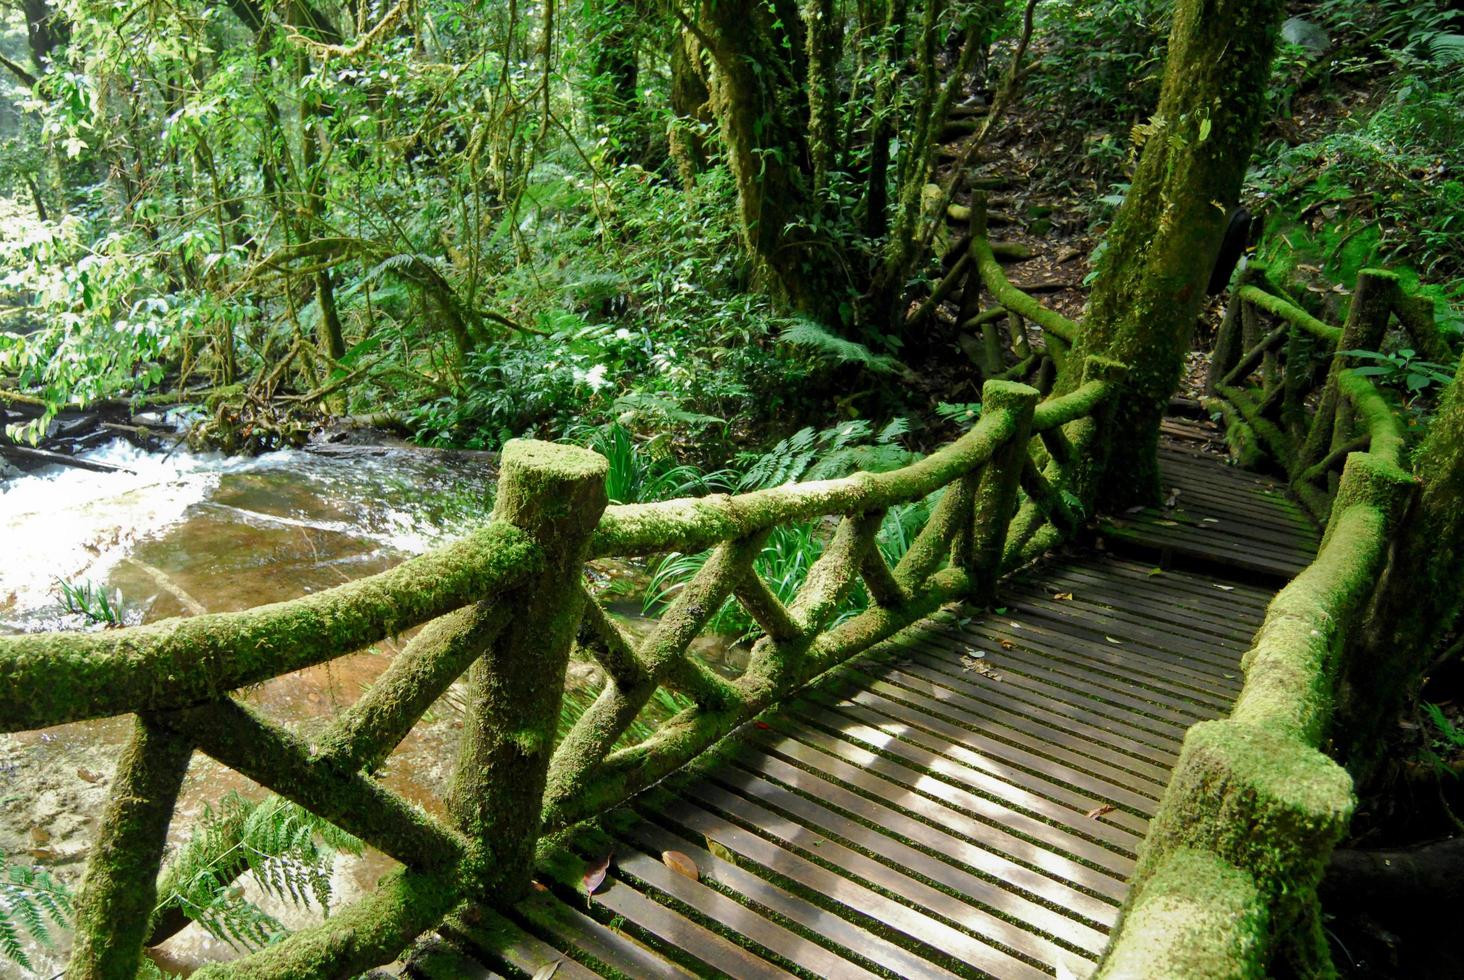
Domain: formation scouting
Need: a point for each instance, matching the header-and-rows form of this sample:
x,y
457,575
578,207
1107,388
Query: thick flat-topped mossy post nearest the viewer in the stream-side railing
x,y
557,494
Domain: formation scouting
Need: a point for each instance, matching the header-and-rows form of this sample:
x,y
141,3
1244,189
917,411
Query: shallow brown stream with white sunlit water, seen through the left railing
x,y
182,534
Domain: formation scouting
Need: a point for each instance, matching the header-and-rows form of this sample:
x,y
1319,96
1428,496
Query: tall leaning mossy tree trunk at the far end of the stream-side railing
x,y
1168,234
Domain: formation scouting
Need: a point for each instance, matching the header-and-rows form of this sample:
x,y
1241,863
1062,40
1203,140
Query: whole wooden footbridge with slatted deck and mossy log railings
x,y
1049,740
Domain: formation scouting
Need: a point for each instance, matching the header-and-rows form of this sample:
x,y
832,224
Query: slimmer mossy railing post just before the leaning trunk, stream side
x,y
996,494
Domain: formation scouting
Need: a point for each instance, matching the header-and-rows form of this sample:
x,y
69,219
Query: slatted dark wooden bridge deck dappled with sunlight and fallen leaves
x,y
967,802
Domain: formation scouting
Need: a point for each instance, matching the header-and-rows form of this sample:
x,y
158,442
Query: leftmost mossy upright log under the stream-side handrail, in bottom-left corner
x,y
122,874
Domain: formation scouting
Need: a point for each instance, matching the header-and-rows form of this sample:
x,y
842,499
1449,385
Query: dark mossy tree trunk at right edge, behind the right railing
x,y
1419,600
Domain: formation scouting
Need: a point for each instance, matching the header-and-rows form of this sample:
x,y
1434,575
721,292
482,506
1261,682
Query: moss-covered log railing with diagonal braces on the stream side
x,y
506,606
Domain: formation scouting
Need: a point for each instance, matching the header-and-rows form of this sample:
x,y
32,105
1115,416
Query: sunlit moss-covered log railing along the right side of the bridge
x,y
1228,877
